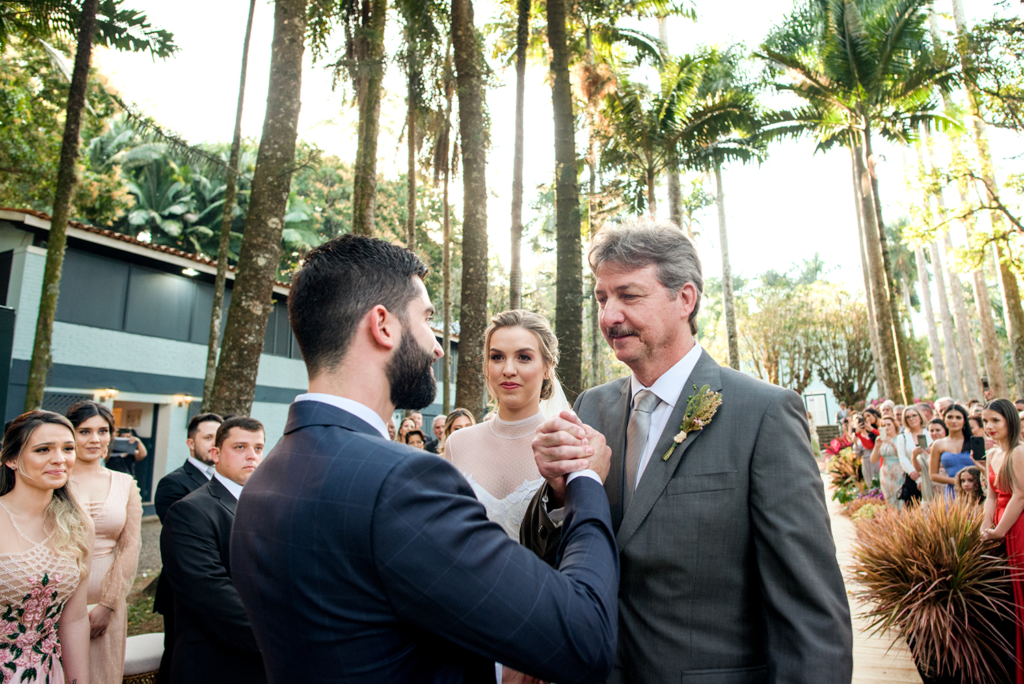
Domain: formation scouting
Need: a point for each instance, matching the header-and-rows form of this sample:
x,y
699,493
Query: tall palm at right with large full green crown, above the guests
x,y
864,66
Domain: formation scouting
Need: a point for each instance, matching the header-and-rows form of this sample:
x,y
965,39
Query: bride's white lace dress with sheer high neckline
x,y
497,458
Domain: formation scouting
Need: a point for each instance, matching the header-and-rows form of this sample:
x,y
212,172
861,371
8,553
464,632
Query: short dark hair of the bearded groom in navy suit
x,y
339,283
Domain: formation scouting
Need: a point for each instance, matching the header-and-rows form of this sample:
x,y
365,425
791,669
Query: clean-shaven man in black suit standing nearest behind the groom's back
x,y
214,642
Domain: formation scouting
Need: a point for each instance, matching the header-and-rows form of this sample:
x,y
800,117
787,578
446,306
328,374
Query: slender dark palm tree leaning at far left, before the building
x,y
45,19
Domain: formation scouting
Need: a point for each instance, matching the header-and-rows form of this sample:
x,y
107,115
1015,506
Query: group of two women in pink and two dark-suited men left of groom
x,y
70,538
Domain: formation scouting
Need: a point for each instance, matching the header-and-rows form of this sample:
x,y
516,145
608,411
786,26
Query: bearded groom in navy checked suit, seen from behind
x,y
360,560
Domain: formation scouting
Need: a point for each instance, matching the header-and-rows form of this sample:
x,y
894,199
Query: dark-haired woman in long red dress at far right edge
x,y
1006,501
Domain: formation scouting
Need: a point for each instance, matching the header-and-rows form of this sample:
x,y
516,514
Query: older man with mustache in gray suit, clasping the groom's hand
x,y
729,567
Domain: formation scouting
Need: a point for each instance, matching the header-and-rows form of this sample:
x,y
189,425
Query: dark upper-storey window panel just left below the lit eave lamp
x,y
159,305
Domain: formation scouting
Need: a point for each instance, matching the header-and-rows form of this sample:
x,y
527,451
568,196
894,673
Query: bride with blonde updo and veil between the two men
x,y
497,456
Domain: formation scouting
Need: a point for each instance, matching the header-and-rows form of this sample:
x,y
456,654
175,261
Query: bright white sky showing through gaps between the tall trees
x,y
794,205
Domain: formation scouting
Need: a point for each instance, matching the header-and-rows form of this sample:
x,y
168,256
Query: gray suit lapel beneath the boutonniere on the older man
x,y
658,474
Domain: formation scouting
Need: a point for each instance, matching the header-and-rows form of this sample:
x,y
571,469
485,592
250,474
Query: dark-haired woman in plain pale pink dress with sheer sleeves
x,y
113,501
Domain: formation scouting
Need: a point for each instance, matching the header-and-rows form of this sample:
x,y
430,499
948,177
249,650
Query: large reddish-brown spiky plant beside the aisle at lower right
x,y
926,576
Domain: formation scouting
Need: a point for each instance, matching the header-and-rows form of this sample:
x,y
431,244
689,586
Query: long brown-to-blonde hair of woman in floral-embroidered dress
x,y
72,526
